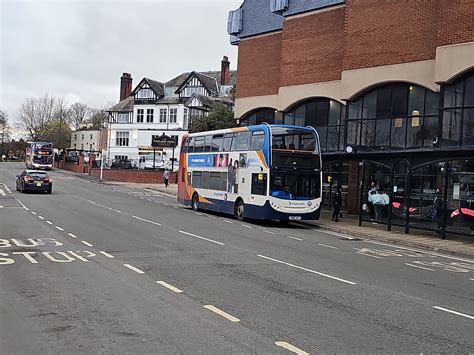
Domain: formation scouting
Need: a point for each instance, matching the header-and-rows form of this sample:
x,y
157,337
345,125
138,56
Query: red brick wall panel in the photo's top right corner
x,y
456,22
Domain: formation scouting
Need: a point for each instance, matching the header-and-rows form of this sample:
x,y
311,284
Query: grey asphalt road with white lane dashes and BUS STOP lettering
x,y
105,268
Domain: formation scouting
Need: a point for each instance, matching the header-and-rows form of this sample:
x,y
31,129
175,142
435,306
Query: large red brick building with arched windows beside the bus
x,y
389,85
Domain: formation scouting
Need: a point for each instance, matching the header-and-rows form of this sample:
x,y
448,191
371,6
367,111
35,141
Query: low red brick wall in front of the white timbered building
x,y
140,176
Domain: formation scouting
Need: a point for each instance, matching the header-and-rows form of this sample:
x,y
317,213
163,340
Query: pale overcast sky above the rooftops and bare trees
x,y
79,49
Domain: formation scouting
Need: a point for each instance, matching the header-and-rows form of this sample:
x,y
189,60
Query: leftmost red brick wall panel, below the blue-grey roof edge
x,y
259,66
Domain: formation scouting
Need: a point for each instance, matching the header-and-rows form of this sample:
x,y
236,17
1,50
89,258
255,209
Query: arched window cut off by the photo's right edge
x,y
458,112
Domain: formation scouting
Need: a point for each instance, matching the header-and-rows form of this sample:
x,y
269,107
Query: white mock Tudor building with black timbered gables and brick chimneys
x,y
154,108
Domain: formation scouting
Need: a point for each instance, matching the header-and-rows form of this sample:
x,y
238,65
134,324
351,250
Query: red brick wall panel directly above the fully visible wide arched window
x,y
389,32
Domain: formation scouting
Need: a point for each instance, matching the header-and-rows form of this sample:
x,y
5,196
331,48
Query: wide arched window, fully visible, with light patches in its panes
x,y
393,116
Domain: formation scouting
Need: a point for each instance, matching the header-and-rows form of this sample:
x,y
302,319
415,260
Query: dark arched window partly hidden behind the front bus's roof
x,y
325,115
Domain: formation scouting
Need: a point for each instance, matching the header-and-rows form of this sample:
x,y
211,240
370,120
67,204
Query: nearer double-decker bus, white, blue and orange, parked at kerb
x,y
257,172
